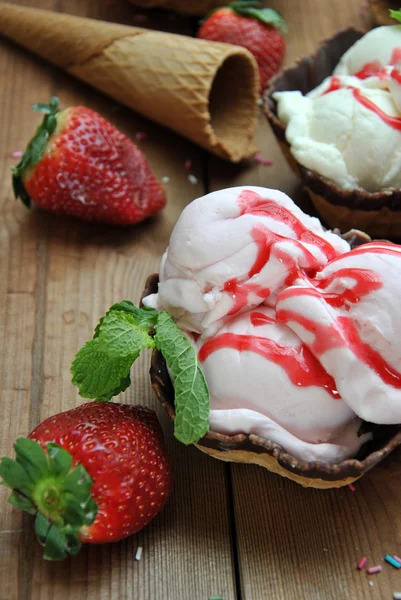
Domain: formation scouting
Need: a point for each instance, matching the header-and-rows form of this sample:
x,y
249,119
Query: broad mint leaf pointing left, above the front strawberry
x,y
101,369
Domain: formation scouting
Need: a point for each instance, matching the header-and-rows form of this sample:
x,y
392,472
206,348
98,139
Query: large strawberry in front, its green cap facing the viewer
x,y
97,473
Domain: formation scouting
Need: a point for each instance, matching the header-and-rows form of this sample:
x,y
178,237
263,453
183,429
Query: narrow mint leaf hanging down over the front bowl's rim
x,y
191,392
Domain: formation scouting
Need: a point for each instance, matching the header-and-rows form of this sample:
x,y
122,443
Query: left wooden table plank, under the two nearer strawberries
x,y
59,277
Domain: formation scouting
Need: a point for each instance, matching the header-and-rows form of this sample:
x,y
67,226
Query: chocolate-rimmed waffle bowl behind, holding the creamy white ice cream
x,y
379,213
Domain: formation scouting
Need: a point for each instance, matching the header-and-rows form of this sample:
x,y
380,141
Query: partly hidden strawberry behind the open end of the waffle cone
x,y
259,30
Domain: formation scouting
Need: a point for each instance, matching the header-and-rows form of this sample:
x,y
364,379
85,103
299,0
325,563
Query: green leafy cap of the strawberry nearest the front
x,y
45,485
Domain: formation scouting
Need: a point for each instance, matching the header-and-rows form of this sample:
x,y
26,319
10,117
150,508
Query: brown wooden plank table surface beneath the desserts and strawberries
x,y
234,531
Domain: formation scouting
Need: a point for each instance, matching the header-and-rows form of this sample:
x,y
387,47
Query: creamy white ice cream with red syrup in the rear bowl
x,y
348,129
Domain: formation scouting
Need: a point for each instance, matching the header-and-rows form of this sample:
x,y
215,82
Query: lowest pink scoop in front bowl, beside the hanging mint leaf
x,y
264,380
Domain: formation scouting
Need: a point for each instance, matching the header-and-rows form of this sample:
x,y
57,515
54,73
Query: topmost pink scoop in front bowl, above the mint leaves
x,y
235,249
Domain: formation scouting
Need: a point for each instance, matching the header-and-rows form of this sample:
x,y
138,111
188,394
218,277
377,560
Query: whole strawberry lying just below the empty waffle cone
x,y
79,164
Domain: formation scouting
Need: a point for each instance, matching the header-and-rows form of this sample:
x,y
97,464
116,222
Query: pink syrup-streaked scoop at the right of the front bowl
x,y
350,320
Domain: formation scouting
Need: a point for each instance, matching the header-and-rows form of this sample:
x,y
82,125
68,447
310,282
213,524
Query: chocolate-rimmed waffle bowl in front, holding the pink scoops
x,y
253,449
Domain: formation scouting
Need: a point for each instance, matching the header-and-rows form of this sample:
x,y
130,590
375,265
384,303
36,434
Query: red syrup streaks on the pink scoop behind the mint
x,y
252,203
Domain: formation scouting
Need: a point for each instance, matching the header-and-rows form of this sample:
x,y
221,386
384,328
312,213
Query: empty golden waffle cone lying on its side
x,y
203,90
